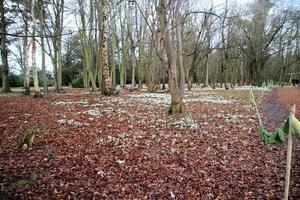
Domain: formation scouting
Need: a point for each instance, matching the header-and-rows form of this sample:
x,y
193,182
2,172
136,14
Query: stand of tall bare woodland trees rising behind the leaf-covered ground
x,y
151,42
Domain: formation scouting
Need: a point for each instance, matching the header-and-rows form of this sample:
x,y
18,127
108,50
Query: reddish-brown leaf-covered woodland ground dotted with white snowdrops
x,y
90,146
